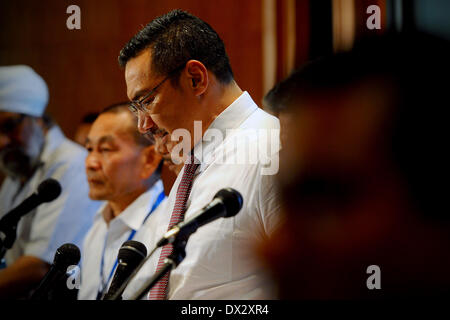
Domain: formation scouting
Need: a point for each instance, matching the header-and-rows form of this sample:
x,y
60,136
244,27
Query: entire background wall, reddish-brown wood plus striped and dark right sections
x,y
80,66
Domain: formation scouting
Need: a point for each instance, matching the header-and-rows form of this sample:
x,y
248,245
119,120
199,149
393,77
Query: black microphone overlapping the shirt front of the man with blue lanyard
x,y
130,256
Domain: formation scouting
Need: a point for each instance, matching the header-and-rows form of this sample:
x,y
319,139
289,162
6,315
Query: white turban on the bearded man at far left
x,y
22,91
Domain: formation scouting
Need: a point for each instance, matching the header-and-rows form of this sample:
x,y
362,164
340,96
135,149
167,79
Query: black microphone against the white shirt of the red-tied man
x,y
226,203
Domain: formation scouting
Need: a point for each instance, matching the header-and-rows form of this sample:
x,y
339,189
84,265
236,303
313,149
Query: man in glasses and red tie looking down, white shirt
x,y
177,72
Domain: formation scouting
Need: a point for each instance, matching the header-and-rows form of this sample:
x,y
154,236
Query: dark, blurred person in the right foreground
x,y
363,171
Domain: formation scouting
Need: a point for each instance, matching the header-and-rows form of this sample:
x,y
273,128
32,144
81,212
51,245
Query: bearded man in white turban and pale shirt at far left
x,y
33,149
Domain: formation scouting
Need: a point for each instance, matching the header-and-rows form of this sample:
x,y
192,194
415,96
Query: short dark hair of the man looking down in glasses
x,y
175,38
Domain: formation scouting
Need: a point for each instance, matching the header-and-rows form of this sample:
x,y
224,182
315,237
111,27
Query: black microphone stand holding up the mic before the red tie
x,y
172,261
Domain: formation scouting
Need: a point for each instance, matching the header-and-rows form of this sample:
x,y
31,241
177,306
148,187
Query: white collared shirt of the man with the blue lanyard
x,y
105,240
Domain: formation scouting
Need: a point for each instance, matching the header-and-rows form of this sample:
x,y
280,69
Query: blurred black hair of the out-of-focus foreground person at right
x,y
414,68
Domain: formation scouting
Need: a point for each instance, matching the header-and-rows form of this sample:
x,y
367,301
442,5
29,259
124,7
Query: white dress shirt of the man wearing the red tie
x,y
219,262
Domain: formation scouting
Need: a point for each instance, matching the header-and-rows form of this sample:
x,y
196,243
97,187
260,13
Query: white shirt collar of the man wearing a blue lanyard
x,y
134,215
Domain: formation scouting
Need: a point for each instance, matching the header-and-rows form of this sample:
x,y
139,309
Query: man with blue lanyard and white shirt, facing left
x,y
122,168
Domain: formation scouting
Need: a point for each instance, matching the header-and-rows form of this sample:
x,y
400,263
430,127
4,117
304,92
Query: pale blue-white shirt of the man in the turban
x,y
63,220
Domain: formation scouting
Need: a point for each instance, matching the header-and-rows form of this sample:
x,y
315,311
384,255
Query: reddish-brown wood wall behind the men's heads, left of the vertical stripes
x,y
80,66
